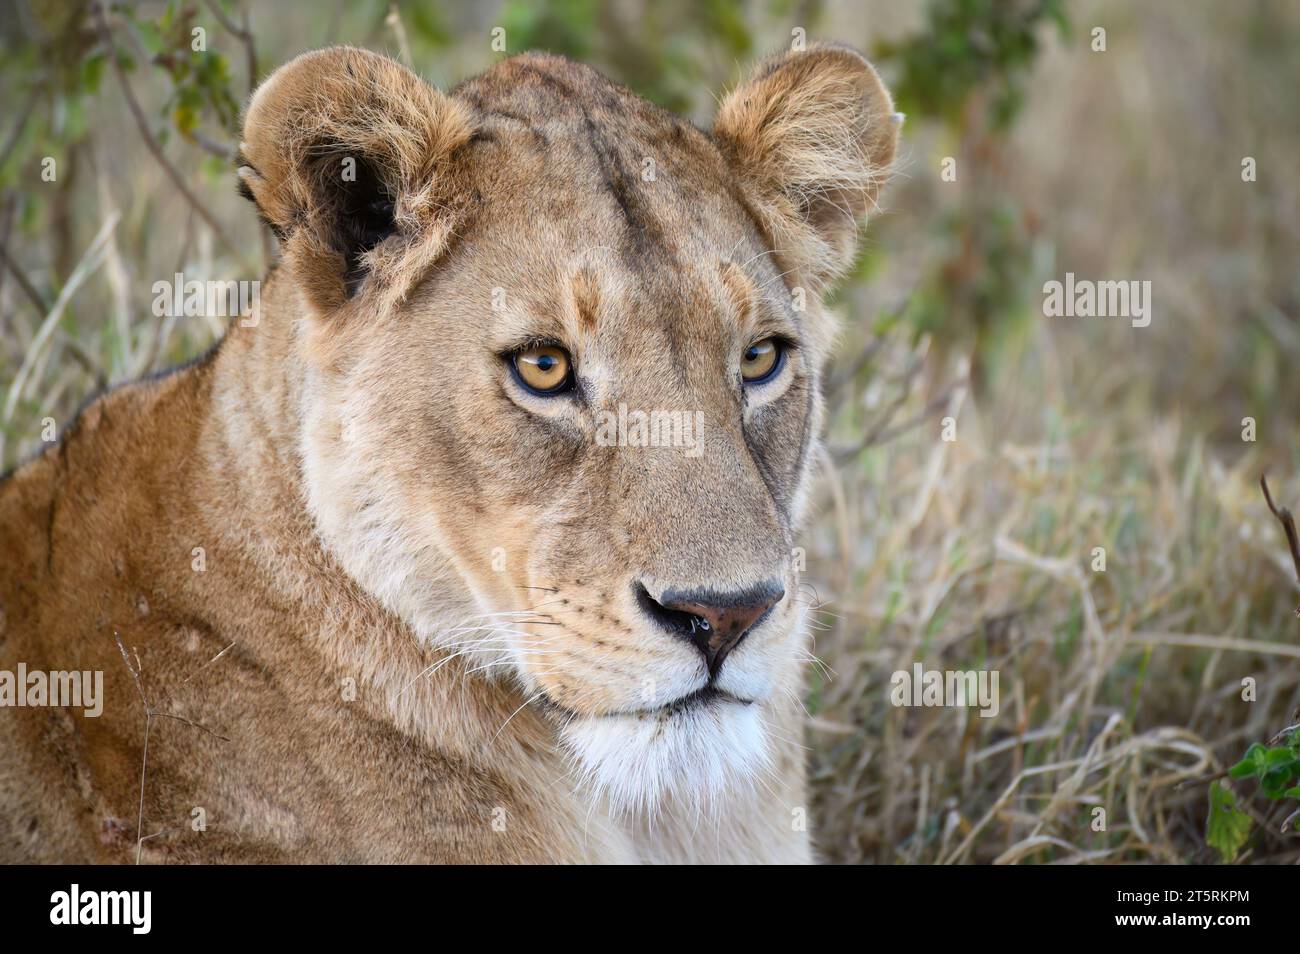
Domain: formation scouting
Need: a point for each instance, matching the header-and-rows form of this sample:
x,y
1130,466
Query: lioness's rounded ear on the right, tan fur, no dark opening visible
x,y
813,137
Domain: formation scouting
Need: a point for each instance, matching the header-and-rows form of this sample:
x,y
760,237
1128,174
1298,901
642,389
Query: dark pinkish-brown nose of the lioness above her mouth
x,y
716,623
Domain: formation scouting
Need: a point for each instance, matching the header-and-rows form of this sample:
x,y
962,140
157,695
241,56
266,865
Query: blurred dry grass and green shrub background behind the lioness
x,y
1121,690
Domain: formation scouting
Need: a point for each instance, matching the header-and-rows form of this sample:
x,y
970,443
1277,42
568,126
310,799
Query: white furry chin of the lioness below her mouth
x,y
692,757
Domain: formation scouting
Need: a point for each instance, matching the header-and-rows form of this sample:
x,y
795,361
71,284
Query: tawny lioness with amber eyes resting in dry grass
x,y
379,579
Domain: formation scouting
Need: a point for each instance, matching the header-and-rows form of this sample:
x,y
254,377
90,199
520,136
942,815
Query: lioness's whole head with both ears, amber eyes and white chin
x,y
562,393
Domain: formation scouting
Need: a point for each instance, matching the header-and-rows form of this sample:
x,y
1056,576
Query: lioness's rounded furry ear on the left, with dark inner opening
x,y
350,159
